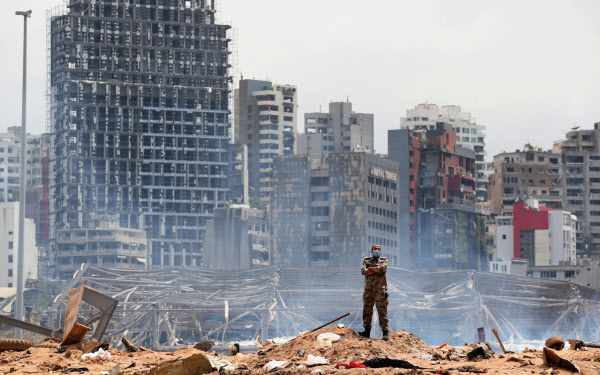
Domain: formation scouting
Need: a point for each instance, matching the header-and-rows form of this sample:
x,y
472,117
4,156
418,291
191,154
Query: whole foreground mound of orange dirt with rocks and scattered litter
x,y
404,352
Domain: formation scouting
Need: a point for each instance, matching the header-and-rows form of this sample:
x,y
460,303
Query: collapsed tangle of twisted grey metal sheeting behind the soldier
x,y
164,309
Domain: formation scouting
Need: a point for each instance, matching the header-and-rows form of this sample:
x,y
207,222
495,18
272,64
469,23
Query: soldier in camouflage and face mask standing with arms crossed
x,y
374,268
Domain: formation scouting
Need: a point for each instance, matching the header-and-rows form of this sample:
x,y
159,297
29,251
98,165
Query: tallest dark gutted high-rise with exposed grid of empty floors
x,y
139,98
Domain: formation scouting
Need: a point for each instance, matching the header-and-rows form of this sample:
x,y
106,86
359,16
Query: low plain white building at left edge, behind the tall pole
x,y
9,245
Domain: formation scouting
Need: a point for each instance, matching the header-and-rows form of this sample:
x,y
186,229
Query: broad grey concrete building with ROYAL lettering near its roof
x,y
329,211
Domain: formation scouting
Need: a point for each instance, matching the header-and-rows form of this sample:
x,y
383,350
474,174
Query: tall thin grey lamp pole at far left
x,y
23,183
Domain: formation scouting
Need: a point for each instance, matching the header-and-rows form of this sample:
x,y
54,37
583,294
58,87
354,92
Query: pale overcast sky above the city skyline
x,y
527,70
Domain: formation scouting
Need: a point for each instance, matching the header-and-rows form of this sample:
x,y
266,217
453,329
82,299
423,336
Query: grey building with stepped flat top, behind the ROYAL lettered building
x,y
339,130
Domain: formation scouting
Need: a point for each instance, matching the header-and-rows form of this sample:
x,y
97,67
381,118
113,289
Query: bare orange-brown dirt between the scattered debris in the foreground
x,y
351,347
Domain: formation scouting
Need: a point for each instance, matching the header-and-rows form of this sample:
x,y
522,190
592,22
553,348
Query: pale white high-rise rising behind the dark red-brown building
x,y
469,134
